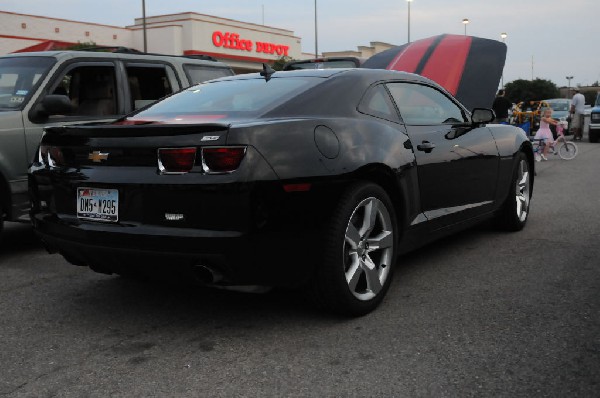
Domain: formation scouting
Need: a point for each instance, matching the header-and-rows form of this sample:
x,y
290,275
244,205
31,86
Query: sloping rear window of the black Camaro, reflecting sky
x,y
225,99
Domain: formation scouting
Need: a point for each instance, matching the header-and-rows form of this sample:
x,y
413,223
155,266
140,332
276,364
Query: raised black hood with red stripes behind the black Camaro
x,y
468,67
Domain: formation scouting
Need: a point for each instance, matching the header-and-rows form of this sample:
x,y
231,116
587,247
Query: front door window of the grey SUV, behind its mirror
x,y
91,90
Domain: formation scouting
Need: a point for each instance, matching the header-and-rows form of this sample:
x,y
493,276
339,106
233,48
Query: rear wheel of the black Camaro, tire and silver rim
x,y
366,252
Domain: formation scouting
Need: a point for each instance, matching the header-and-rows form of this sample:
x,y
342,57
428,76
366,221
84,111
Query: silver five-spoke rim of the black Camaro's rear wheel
x,y
368,248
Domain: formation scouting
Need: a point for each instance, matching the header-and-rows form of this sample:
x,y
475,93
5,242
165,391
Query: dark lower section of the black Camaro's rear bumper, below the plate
x,y
269,257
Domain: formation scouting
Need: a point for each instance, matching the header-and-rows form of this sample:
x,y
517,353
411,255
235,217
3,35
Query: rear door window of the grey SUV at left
x,y
147,83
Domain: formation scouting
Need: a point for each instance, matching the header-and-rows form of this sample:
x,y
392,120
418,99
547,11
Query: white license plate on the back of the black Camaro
x,y
98,204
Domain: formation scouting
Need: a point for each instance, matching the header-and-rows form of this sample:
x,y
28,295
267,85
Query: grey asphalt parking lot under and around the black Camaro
x,y
482,313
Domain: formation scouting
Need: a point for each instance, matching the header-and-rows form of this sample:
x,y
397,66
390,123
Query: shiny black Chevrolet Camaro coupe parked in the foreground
x,y
311,178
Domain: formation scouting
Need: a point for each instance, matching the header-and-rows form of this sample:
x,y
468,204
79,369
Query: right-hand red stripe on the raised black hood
x,y
447,63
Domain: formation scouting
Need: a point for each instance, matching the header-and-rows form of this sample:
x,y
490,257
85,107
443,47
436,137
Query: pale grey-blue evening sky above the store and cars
x,y
548,39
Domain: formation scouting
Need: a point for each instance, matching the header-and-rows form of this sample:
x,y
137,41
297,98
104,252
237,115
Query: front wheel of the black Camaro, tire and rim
x,y
515,210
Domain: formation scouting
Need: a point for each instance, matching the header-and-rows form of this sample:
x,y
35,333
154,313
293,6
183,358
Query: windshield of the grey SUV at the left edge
x,y
19,77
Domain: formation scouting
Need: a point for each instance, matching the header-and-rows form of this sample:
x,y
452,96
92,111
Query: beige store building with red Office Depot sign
x,y
243,46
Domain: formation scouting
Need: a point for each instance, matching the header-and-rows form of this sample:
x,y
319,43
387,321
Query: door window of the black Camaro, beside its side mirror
x,y
424,105
